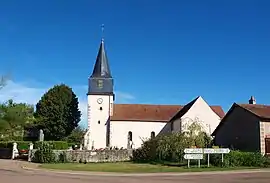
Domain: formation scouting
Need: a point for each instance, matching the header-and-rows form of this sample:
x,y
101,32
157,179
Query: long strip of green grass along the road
x,y
128,167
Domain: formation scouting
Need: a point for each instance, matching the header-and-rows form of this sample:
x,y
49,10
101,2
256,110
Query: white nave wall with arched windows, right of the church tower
x,y
140,131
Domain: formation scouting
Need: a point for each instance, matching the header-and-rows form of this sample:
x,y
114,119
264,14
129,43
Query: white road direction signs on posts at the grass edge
x,y
197,154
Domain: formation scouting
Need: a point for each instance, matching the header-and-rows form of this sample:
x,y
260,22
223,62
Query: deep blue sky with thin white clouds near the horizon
x,y
160,52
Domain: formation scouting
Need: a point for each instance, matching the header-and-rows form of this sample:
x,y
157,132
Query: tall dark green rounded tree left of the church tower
x,y
57,112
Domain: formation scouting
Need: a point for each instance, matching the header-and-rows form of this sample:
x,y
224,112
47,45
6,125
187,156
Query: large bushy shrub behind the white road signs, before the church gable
x,y
169,148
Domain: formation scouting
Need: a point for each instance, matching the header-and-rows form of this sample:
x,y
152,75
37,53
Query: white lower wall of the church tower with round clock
x,y
97,119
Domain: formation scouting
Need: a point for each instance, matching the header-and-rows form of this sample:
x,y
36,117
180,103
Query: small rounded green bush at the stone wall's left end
x,y
44,154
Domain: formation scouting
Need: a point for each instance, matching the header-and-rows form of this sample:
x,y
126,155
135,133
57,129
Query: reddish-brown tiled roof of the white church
x,y
146,112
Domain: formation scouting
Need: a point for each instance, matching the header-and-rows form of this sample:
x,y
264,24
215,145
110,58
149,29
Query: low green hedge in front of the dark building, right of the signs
x,y
238,158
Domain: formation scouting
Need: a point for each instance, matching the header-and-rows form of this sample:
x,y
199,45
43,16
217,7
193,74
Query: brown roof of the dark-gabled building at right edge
x,y
261,111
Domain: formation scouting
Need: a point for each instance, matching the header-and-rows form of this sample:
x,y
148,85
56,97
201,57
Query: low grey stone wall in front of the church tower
x,y
90,156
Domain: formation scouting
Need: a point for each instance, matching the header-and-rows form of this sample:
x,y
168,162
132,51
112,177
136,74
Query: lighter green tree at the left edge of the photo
x,y
13,118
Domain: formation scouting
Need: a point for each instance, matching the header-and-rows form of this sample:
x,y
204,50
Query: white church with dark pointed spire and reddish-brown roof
x,y
128,125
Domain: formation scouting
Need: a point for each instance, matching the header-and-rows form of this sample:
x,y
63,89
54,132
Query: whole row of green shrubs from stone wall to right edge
x,y
170,149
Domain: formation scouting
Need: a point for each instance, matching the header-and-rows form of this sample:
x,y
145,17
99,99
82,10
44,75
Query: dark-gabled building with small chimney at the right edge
x,y
245,127
